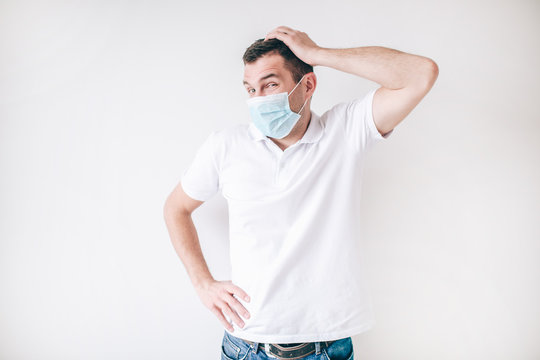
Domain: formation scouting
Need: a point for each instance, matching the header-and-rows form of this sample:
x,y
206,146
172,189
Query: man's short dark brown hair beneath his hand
x,y
259,48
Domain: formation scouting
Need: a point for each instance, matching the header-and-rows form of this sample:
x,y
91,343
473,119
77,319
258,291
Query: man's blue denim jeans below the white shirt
x,y
233,348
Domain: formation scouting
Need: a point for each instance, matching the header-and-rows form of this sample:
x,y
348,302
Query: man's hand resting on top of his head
x,y
299,43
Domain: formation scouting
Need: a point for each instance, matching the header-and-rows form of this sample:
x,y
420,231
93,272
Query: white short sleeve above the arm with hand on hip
x,y
201,179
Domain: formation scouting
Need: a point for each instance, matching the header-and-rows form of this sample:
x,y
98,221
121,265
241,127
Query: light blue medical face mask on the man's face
x,y
272,114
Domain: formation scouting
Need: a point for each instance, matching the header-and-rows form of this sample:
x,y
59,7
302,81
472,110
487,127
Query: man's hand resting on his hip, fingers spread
x,y
218,297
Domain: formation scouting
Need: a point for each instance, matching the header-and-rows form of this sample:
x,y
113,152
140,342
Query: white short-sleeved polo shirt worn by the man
x,y
294,236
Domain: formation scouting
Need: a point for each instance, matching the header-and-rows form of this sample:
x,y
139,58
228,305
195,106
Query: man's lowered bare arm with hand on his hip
x,y
215,295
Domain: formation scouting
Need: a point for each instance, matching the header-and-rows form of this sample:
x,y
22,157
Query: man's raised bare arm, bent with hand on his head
x,y
404,78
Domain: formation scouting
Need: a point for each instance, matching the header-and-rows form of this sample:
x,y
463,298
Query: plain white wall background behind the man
x,y
104,103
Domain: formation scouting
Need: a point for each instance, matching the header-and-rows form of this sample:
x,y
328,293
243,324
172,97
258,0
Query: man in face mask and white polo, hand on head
x,y
292,179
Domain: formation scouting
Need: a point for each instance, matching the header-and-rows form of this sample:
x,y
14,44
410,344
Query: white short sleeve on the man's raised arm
x,y
359,124
